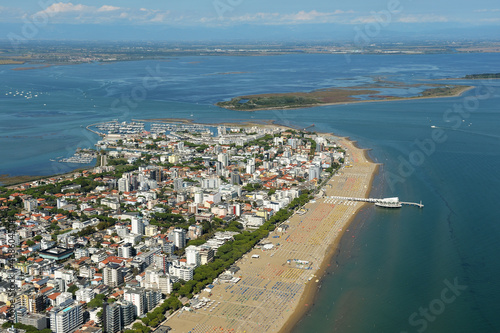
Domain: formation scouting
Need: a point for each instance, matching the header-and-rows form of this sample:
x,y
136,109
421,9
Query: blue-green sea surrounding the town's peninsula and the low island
x,y
435,269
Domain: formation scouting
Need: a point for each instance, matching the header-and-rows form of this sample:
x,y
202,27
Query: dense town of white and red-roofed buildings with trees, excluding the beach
x,y
162,218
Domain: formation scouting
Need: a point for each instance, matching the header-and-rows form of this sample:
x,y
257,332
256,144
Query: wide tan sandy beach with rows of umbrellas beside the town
x,y
275,289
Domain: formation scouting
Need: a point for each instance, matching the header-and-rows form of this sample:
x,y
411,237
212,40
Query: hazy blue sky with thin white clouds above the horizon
x,y
206,19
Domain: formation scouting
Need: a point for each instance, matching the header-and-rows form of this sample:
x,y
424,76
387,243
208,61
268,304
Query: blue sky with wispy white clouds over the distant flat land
x,y
405,15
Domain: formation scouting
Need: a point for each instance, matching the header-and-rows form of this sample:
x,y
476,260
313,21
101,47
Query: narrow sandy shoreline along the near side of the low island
x,y
397,99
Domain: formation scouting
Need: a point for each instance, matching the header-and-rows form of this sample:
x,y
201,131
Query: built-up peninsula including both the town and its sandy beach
x,y
230,226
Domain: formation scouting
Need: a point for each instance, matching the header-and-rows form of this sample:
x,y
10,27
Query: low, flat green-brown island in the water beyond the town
x,y
331,96
